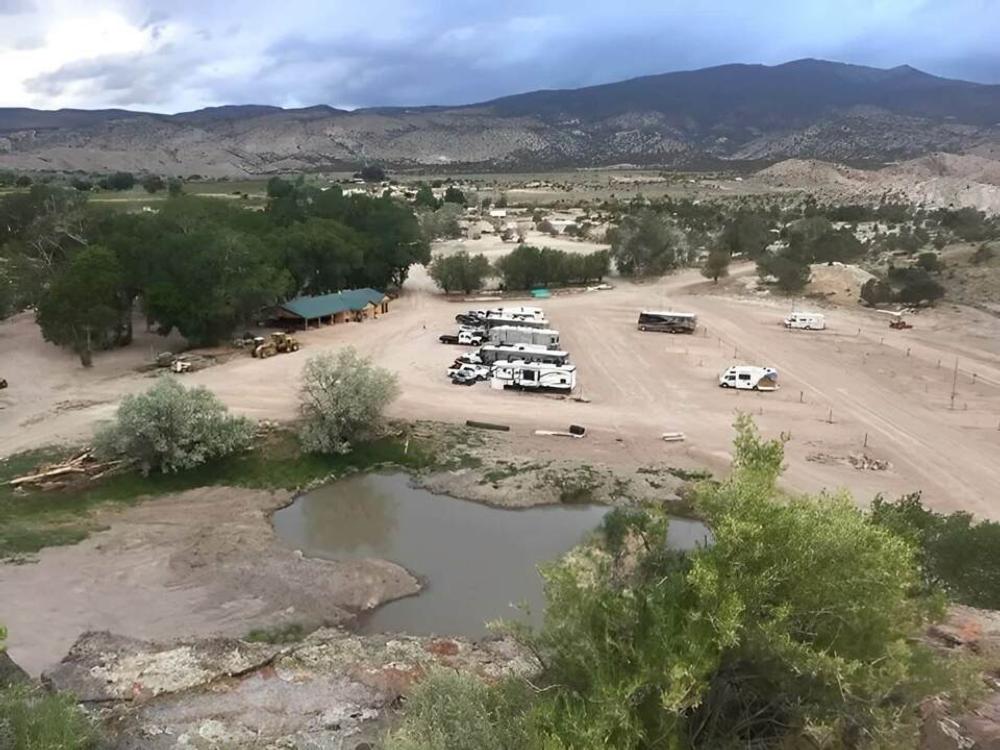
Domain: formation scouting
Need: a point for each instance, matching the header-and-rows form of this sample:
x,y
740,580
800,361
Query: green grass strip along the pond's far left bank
x,y
33,519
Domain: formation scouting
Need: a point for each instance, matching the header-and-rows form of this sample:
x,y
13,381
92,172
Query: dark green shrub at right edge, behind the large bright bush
x,y
959,555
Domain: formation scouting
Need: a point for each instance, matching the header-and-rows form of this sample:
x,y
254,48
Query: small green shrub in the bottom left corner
x,y
32,719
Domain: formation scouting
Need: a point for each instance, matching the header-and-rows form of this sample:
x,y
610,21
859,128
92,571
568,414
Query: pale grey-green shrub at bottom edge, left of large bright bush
x,y
460,712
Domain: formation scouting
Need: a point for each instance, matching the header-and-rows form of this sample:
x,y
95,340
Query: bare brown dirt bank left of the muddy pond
x,y
200,563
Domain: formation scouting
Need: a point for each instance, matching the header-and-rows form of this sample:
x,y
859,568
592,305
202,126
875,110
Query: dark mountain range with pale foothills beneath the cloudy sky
x,y
730,114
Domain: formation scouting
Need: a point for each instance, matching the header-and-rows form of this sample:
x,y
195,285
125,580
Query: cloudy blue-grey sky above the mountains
x,y
177,55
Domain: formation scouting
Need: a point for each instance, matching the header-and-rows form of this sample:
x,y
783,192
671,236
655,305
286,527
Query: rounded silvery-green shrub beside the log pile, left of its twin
x,y
172,428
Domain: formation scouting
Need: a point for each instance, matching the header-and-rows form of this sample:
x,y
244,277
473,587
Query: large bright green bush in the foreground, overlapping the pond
x,y
797,626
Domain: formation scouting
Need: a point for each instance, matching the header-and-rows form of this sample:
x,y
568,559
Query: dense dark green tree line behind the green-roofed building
x,y
200,266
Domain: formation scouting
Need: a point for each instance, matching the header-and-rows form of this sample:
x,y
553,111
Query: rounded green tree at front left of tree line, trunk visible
x,y
82,306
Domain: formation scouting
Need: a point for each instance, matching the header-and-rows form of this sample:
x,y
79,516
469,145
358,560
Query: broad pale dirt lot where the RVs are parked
x,y
639,386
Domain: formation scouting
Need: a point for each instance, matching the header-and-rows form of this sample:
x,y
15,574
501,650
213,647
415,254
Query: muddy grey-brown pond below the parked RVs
x,y
476,562
